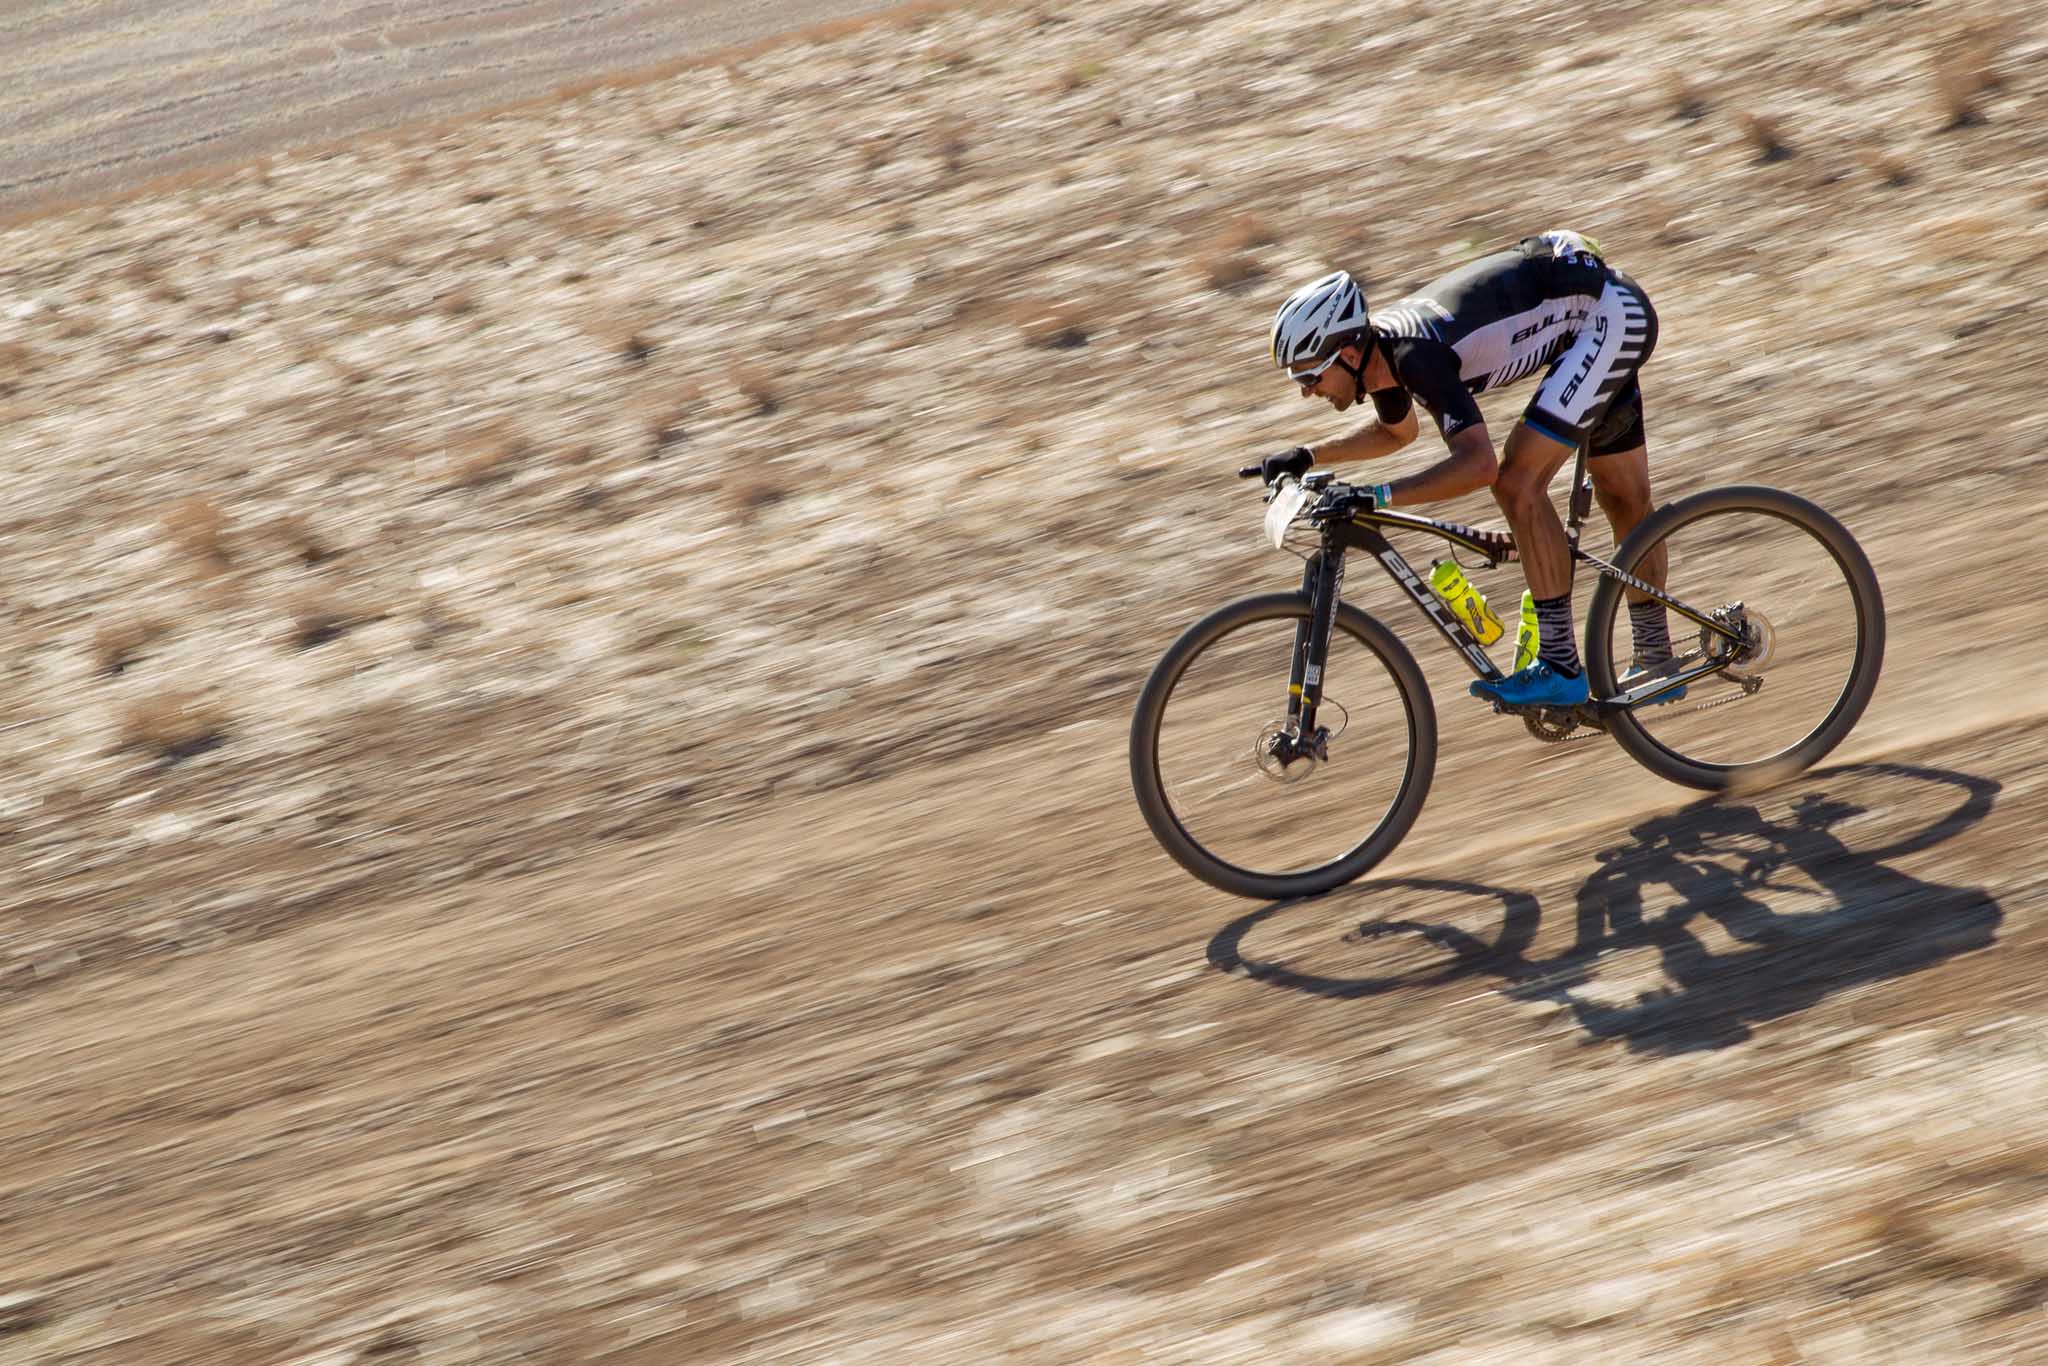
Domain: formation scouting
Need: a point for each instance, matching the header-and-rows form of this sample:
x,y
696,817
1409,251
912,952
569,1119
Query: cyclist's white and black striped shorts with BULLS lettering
x,y
1592,394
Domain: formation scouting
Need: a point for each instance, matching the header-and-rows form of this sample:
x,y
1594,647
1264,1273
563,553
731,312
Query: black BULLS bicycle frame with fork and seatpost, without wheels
x,y
1324,579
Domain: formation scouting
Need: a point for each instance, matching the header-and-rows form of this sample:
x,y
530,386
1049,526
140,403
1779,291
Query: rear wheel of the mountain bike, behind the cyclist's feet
x,y
1789,579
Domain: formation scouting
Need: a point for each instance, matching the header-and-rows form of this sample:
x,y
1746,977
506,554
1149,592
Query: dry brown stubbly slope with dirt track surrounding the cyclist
x,y
566,677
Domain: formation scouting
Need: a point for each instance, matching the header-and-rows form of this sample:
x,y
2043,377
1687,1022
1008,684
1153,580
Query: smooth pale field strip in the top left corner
x,y
122,93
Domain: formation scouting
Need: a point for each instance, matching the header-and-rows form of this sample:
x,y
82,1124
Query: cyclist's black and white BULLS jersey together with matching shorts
x,y
1545,302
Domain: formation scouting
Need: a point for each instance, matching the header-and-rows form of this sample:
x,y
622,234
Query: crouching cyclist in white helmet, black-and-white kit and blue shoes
x,y
1545,302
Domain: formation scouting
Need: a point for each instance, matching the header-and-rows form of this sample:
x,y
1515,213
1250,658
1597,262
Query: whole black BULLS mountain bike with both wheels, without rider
x,y
1285,744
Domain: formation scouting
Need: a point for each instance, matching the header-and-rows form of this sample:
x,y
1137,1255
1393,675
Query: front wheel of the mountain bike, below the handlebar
x,y
1211,718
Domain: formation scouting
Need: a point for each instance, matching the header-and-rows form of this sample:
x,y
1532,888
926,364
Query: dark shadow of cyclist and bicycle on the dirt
x,y
1801,908
